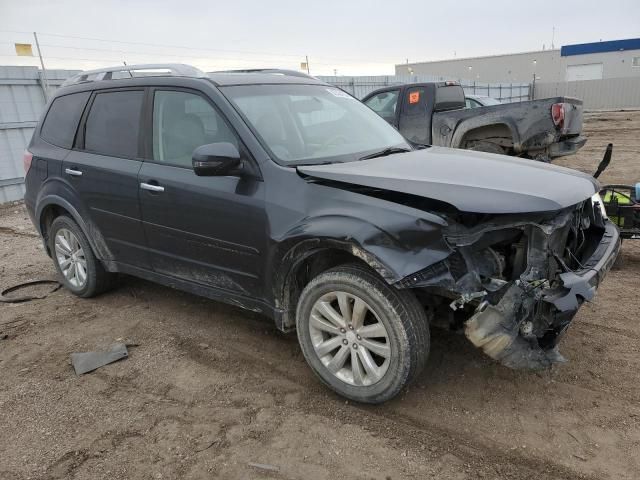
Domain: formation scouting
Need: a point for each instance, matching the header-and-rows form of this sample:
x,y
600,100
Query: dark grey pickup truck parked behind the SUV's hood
x,y
435,114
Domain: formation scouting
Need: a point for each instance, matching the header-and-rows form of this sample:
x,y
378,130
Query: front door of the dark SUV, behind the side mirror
x,y
207,230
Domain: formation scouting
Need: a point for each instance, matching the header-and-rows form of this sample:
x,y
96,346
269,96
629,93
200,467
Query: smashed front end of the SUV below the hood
x,y
522,278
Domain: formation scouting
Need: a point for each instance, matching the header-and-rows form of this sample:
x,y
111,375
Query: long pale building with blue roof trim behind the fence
x,y
586,61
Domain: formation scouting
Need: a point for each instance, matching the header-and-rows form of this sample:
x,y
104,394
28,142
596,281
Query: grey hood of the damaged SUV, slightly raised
x,y
470,181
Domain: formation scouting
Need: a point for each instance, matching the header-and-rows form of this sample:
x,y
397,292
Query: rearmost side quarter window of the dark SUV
x,y
61,122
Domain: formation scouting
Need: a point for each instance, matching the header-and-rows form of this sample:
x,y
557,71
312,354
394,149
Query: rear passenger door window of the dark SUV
x,y
113,124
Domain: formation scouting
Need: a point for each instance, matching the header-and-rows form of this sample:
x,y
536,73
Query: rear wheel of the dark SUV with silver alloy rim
x,y
96,279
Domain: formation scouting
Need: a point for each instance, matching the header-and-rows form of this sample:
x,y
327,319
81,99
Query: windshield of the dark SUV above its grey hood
x,y
301,124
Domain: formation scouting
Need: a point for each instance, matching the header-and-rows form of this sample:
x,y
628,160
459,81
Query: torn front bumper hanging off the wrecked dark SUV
x,y
507,332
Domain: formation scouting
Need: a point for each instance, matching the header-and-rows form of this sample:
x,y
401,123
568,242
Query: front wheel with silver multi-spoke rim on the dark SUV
x,y
406,340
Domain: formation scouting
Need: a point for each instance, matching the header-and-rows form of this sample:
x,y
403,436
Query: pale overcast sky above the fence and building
x,y
352,37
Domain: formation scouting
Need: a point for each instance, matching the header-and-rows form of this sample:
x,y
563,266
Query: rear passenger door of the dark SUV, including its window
x,y
103,169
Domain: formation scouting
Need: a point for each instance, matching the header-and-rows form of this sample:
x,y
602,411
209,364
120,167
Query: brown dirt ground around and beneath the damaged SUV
x,y
211,390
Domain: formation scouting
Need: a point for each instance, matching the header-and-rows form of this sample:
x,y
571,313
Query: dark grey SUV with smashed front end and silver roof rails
x,y
284,195
